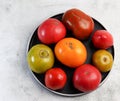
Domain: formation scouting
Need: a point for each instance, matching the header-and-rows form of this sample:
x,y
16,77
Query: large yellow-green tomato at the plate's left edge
x,y
40,58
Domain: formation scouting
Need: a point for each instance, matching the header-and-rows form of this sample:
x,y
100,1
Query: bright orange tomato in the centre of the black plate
x,y
71,52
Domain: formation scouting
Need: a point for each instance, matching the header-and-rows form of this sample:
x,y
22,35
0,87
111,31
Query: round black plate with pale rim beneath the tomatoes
x,y
69,90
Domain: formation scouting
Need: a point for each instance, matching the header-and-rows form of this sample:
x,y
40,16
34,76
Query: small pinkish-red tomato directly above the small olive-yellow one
x,y
102,39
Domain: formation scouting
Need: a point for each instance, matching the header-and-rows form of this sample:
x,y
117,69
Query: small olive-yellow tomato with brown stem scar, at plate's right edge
x,y
103,60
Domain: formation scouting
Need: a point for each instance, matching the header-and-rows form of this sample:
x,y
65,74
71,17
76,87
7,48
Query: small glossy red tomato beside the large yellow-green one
x,y
55,78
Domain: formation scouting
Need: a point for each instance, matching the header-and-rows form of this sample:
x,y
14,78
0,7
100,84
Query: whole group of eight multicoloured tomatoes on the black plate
x,y
71,52
